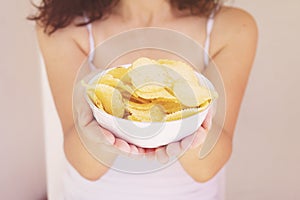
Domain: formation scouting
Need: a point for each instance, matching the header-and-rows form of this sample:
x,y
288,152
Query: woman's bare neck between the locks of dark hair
x,y
146,12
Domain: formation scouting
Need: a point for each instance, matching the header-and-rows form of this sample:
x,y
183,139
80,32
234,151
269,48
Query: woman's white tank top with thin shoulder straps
x,y
170,183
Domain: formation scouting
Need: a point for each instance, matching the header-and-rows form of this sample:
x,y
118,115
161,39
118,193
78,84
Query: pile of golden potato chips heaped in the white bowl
x,y
151,90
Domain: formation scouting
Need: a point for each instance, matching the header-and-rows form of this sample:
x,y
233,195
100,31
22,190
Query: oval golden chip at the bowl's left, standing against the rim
x,y
111,100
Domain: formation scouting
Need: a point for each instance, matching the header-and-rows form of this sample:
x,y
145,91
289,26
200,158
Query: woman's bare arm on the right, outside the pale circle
x,y
234,62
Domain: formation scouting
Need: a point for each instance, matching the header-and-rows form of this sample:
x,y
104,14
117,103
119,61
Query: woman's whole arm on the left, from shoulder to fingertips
x,y
63,55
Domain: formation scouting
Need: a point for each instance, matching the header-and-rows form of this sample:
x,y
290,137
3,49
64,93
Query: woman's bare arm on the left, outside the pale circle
x,y
63,57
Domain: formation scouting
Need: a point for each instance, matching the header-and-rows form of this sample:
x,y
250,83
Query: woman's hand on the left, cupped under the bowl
x,y
96,139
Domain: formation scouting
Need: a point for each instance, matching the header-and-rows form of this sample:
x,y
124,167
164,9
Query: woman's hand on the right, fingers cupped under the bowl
x,y
195,140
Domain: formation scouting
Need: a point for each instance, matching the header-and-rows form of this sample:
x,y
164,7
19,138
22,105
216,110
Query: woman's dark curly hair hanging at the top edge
x,y
56,14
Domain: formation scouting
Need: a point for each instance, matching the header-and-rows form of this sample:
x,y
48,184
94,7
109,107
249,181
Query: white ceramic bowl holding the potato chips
x,y
150,134
